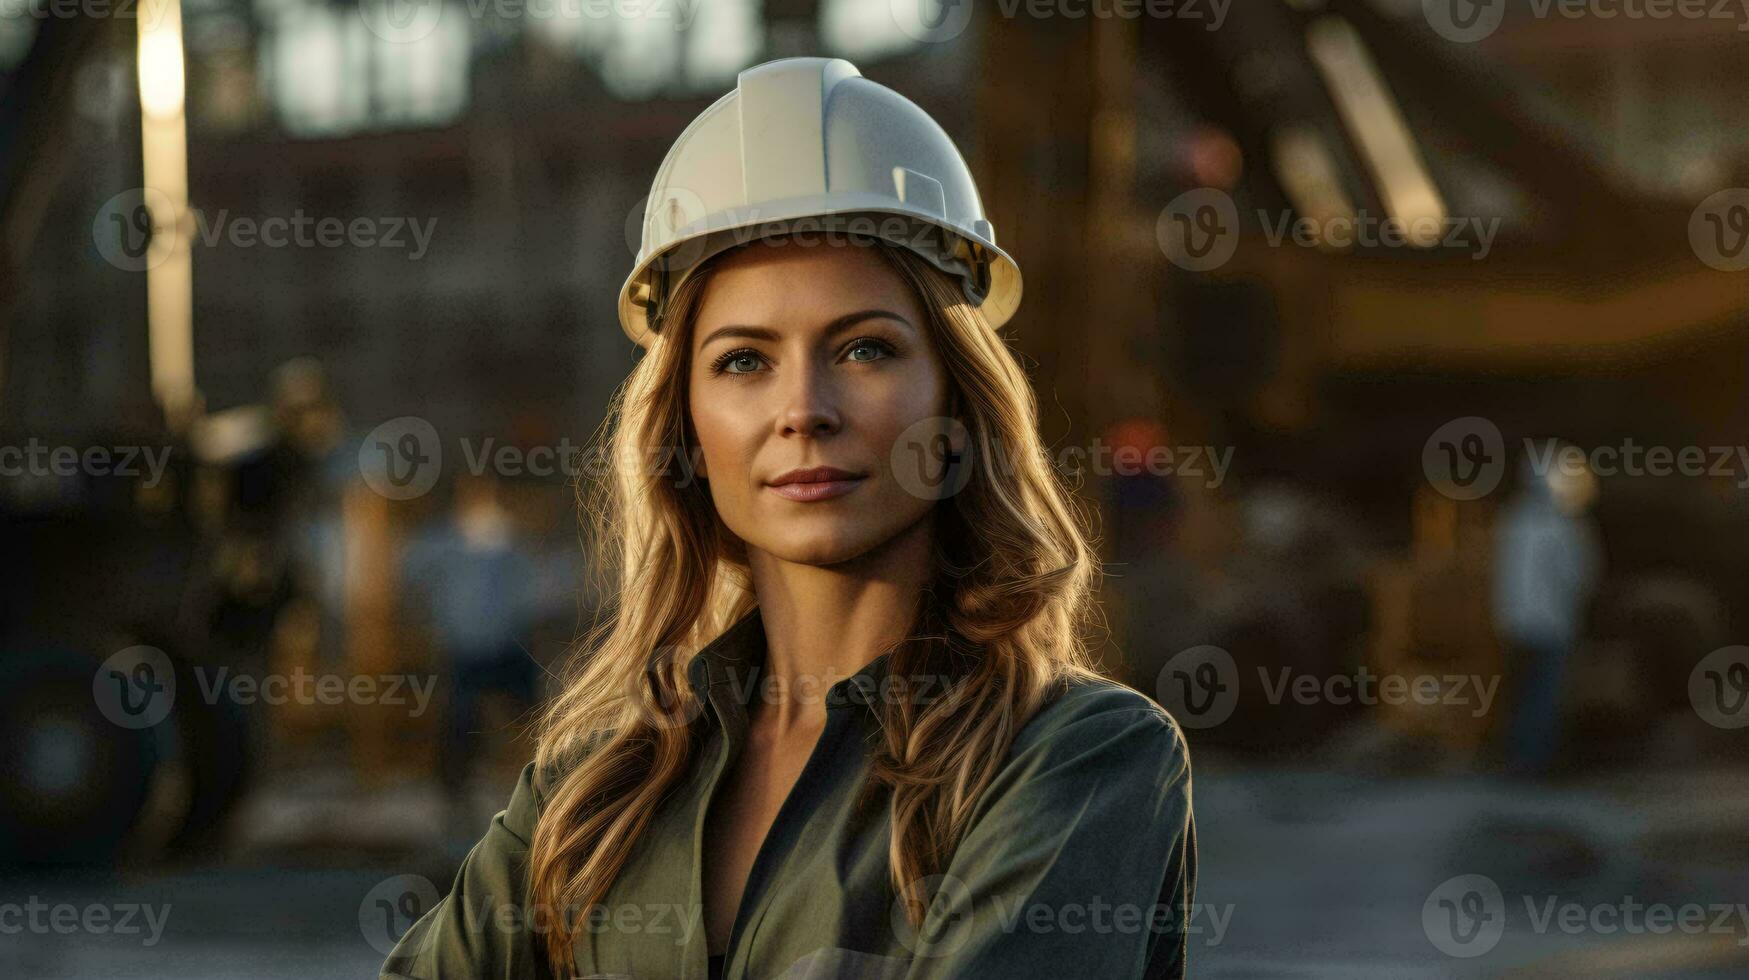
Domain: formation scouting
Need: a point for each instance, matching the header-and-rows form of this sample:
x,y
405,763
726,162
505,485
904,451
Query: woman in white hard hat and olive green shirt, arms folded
x,y
842,720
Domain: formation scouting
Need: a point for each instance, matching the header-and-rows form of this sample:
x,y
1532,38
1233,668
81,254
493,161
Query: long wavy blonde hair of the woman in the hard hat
x,y
1003,617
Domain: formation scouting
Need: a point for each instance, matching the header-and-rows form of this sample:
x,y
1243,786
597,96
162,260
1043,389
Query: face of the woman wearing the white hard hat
x,y
811,358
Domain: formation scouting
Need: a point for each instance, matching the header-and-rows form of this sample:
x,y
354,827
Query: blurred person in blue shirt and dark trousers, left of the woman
x,y
478,587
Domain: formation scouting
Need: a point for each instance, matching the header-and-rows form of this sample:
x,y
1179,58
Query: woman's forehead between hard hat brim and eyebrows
x,y
790,284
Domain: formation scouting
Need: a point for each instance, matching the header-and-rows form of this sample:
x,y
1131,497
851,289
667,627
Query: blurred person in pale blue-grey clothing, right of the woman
x,y
1547,566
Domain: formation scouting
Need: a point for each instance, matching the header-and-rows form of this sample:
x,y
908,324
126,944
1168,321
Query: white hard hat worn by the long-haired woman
x,y
811,146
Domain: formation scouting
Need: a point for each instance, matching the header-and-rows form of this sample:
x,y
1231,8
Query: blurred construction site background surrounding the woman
x,y
1355,263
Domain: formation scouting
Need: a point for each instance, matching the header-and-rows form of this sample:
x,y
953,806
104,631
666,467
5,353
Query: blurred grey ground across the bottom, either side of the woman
x,y
1307,874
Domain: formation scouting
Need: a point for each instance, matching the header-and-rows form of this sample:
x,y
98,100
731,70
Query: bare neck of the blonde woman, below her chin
x,y
828,622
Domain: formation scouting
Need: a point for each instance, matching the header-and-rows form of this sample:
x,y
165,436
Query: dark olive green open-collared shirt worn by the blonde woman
x,y
1080,858
